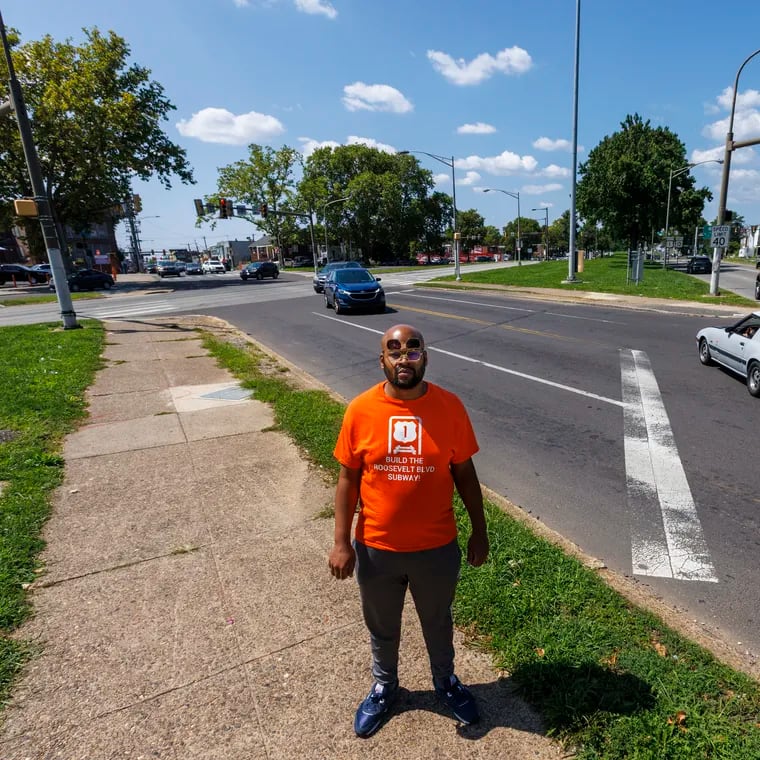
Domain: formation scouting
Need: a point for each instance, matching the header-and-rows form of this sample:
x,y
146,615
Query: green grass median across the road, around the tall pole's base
x,y
605,275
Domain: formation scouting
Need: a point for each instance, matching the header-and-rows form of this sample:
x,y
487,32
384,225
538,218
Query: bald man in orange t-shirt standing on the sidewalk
x,y
404,445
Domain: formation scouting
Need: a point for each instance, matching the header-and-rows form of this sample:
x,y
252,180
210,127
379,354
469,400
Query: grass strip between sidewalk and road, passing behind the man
x,y
610,679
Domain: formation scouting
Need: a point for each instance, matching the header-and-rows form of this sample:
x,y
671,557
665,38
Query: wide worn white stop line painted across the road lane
x,y
667,540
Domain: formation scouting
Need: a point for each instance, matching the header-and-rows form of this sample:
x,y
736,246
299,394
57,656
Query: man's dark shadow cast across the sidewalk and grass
x,y
541,697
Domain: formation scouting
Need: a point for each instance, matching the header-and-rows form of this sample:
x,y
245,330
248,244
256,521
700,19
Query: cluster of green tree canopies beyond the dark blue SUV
x,y
380,202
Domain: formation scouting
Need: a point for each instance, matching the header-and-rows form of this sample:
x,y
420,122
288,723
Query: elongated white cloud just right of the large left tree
x,y
218,125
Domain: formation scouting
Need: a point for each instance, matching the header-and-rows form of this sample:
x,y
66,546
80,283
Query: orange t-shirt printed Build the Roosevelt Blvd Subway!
x,y
404,450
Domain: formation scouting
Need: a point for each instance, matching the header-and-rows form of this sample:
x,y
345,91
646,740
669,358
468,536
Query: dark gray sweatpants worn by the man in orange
x,y
431,576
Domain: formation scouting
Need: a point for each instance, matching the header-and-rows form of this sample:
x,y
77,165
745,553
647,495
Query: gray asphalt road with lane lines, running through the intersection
x,y
545,385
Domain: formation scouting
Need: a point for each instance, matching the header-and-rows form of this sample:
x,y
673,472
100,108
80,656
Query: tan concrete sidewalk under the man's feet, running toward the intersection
x,y
186,610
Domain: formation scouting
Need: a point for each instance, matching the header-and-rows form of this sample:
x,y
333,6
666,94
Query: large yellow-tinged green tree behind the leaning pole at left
x,y
96,121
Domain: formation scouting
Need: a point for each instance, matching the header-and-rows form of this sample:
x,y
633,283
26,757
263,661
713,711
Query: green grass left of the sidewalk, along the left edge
x,y
44,373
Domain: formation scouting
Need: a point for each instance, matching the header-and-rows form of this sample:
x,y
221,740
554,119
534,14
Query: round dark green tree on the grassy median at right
x,y
624,182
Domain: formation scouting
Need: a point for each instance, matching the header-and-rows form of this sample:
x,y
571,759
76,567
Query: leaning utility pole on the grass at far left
x,y
49,231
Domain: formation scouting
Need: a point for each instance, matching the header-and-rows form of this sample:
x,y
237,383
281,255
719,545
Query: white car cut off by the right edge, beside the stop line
x,y
736,348
